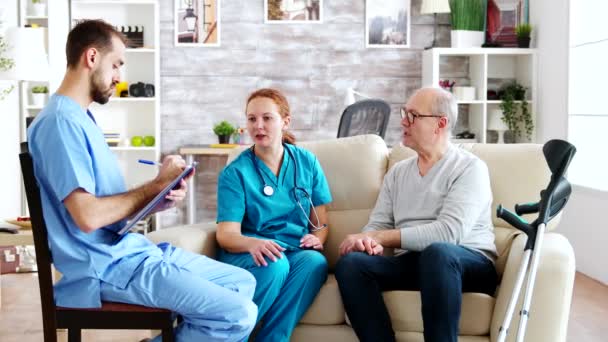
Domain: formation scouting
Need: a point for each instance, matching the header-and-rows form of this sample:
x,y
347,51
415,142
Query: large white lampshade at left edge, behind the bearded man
x,y
26,47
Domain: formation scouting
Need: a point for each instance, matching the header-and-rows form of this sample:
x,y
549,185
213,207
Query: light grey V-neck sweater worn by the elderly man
x,y
451,203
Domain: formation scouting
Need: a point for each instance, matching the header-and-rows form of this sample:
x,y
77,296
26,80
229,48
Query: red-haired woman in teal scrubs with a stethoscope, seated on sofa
x,y
272,217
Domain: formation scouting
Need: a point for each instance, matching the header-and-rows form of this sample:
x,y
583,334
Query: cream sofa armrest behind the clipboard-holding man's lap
x,y
197,238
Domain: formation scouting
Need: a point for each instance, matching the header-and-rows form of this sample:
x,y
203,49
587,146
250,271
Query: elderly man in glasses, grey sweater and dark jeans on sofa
x,y
435,209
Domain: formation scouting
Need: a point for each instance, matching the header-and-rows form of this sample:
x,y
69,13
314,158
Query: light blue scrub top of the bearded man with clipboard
x,y
69,152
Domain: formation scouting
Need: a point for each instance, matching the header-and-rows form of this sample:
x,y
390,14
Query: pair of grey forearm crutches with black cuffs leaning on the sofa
x,y
558,154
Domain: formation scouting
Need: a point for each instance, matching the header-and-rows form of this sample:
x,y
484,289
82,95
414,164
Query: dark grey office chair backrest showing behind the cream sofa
x,y
365,117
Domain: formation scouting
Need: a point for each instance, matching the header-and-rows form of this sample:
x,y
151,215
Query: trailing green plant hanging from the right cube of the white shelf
x,y
515,111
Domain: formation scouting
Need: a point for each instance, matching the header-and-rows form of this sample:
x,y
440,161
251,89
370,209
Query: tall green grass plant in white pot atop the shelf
x,y
468,22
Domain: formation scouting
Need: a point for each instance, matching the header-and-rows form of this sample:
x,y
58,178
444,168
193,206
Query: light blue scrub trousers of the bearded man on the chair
x,y
213,298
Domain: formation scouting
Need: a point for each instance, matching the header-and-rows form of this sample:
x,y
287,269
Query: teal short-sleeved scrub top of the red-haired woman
x,y
277,217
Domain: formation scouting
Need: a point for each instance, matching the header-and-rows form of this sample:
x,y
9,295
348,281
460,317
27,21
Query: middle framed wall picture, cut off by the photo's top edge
x,y
293,11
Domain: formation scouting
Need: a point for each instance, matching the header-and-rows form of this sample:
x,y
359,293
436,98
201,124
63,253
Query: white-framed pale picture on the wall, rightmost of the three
x,y
387,23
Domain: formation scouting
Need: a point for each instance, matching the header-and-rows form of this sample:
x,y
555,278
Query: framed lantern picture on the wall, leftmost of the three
x,y
197,23
